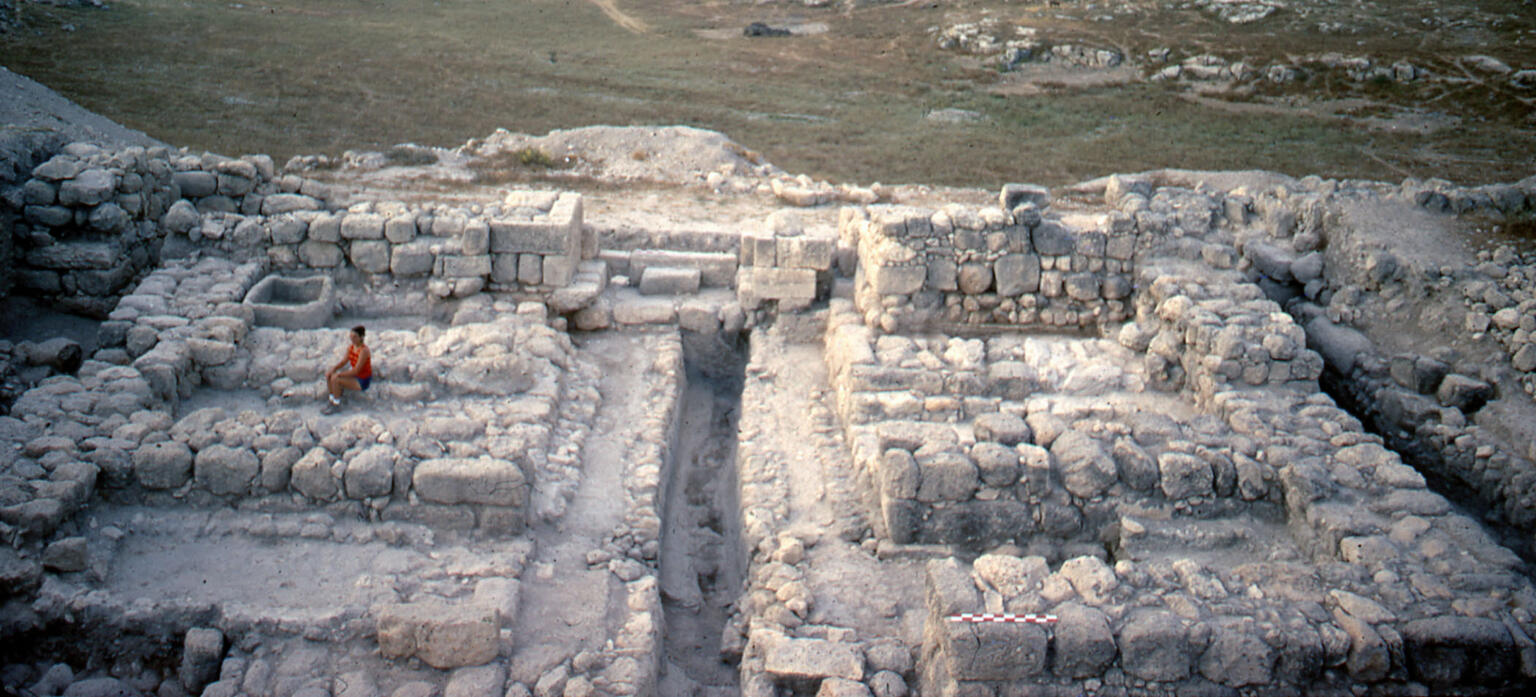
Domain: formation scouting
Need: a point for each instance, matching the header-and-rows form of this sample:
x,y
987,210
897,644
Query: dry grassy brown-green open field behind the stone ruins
x,y
445,73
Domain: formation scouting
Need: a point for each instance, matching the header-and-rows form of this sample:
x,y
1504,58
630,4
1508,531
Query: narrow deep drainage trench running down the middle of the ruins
x,y
703,561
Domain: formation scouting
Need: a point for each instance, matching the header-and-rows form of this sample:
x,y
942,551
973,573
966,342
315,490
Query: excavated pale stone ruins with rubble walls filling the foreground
x,y
766,463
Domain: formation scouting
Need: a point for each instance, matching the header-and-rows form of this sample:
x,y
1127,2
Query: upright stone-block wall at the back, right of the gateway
x,y
991,266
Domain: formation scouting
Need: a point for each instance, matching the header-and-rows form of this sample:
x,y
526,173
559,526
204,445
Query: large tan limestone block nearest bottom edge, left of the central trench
x,y
442,636
